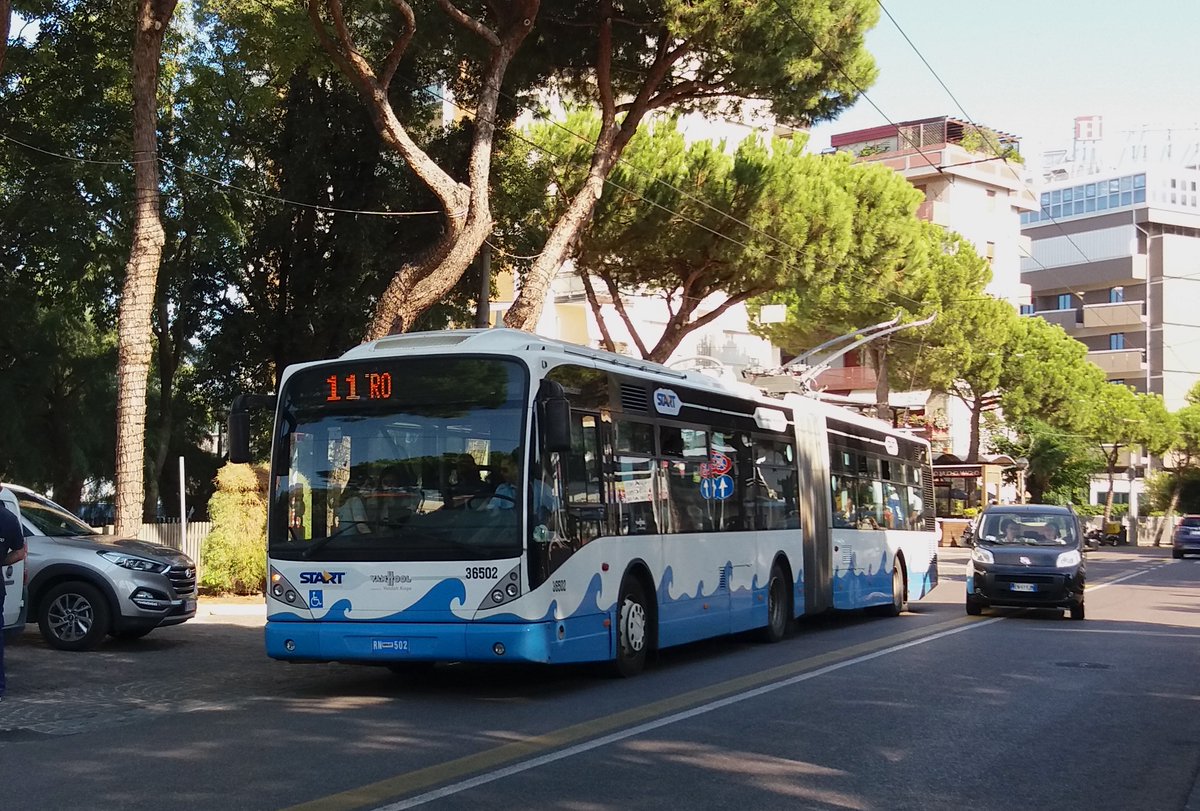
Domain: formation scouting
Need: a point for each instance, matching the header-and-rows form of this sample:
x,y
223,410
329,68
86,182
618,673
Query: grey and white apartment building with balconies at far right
x,y
1115,261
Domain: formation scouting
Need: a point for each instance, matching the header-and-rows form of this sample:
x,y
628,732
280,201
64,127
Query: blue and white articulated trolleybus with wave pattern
x,y
491,496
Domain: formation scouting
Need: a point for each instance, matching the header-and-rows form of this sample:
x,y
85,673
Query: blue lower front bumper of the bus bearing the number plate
x,y
575,640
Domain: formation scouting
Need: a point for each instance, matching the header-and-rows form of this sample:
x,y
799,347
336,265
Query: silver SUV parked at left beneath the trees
x,y
85,586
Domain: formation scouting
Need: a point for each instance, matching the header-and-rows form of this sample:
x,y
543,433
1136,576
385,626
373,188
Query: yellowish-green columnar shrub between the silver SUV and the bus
x,y
233,558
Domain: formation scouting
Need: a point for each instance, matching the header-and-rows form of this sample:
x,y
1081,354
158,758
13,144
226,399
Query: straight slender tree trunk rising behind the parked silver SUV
x,y
142,272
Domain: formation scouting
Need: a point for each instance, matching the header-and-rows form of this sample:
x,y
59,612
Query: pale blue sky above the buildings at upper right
x,y
1029,68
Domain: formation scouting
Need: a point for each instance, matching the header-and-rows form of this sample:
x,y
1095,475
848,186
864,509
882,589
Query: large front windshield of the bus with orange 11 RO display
x,y
399,460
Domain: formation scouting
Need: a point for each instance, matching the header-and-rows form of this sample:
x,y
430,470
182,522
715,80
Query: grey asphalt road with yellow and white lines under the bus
x,y
928,711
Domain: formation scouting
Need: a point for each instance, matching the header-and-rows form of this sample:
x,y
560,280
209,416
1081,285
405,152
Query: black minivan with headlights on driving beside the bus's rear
x,y
1028,556
